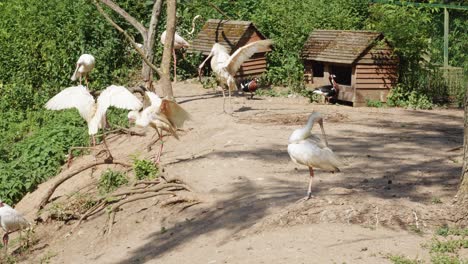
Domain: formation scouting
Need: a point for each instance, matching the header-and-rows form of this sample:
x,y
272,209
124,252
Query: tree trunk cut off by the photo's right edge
x,y
461,211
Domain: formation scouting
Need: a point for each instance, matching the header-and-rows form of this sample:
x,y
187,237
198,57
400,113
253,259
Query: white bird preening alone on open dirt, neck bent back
x,y
309,150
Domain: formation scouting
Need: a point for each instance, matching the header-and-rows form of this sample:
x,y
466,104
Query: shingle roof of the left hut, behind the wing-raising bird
x,y
228,33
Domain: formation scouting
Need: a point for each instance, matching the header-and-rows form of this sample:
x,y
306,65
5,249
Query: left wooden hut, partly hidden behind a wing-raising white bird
x,y
232,35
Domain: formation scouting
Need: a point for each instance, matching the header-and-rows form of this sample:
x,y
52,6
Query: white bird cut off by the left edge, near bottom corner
x,y
11,221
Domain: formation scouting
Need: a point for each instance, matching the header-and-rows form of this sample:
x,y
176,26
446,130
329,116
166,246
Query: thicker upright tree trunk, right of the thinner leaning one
x,y
168,48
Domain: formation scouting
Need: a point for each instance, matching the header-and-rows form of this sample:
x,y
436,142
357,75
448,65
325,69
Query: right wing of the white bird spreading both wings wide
x,y
117,96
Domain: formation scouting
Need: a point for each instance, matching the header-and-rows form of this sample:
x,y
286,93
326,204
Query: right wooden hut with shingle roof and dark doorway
x,y
363,62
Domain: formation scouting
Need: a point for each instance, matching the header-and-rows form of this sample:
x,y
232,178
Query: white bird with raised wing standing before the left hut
x,y
225,66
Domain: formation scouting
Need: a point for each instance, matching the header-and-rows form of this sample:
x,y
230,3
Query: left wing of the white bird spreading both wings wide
x,y
73,97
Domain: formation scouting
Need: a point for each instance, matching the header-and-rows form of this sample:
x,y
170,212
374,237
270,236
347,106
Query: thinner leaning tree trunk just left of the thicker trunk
x,y
147,72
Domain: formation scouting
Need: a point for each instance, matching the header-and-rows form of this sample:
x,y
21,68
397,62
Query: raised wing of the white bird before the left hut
x,y
245,52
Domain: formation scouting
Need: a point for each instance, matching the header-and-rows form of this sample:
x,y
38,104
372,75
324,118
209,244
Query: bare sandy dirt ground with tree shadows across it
x,y
397,184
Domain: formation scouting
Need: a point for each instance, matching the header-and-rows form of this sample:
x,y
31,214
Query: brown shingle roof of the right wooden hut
x,y
338,46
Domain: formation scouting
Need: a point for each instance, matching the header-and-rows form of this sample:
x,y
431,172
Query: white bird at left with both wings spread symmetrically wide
x,y
94,112
